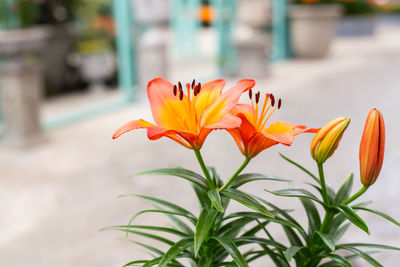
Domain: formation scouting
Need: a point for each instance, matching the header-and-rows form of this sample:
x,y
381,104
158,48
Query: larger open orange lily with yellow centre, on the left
x,y
189,118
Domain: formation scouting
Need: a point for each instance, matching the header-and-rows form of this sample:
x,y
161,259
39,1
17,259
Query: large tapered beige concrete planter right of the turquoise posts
x,y
312,29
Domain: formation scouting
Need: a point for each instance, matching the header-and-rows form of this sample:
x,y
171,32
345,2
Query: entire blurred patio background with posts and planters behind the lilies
x,y
73,71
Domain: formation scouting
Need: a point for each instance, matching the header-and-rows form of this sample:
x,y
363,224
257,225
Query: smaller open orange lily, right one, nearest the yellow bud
x,y
253,136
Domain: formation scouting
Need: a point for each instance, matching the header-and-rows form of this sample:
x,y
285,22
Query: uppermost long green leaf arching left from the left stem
x,y
189,175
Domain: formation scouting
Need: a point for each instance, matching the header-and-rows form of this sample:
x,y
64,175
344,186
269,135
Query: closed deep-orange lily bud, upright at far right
x,y
372,147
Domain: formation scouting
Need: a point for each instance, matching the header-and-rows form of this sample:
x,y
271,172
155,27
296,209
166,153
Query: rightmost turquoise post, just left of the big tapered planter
x,y
279,49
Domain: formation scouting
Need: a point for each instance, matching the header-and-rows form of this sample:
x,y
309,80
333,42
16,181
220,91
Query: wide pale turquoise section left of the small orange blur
x,y
185,24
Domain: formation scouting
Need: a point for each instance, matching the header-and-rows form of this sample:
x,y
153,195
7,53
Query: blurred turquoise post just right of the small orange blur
x,y
226,14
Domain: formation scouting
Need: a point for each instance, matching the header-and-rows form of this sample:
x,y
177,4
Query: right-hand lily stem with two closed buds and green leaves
x,y
321,242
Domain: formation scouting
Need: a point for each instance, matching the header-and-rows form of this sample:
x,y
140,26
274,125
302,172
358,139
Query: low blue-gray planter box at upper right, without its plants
x,y
357,26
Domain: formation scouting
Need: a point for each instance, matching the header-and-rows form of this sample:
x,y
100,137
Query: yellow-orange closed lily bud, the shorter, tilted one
x,y
327,139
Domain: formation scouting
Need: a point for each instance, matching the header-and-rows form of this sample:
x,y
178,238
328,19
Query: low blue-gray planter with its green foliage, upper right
x,y
359,18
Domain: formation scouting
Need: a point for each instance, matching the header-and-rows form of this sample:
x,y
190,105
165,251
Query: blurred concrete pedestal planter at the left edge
x,y
21,84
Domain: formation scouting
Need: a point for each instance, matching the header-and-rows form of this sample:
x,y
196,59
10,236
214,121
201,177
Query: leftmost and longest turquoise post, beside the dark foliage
x,y
127,75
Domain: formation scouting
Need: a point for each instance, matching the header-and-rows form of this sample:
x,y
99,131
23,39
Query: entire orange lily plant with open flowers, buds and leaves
x,y
187,114
